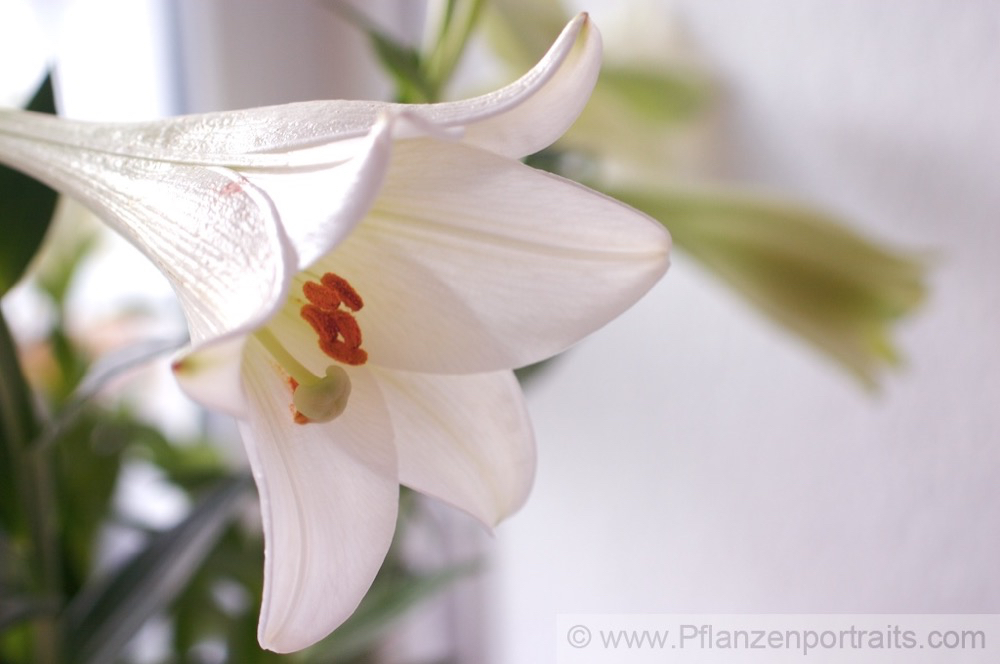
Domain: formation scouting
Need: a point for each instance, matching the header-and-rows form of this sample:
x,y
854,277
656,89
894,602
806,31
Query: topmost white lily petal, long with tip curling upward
x,y
516,120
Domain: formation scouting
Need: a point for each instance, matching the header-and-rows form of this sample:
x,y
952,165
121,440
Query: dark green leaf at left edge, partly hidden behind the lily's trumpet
x,y
26,208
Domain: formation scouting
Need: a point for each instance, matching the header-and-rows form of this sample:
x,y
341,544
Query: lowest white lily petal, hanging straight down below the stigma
x,y
329,497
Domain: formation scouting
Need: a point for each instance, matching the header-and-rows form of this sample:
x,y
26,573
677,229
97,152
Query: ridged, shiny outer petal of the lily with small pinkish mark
x,y
213,234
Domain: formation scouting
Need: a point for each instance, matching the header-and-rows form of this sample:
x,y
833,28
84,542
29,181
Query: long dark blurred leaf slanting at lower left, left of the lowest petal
x,y
102,620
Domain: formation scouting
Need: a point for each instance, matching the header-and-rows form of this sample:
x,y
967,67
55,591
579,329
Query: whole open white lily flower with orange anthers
x,y
359,280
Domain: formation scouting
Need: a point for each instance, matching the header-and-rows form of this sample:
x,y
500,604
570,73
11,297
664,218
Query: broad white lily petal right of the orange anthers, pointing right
x,y
471,263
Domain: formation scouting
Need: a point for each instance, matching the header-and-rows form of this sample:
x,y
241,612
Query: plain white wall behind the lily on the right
x,y
692,457
